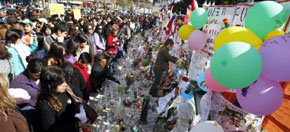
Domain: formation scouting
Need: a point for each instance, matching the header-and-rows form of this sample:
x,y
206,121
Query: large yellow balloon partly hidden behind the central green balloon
x,y
237,34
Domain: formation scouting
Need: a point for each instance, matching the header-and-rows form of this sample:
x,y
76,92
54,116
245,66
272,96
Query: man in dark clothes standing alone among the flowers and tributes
x,y
162,65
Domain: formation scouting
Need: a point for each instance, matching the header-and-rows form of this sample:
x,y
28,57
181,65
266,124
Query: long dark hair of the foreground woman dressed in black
x,y
50,78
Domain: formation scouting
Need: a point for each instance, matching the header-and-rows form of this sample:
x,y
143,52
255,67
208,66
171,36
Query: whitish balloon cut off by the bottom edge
x,y
207,126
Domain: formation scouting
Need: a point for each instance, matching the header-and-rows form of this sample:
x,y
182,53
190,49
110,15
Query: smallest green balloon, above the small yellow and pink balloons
x,y
198,18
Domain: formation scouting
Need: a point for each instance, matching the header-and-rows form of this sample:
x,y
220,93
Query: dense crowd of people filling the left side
x,y
52,65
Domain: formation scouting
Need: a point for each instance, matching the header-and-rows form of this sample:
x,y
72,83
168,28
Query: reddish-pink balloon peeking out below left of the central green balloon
x,y
212,84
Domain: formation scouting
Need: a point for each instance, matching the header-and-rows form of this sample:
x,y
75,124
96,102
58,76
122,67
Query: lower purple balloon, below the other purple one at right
x,y
261,98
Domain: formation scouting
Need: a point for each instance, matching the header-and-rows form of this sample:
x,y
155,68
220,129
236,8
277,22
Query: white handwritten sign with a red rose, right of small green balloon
x,y
216,15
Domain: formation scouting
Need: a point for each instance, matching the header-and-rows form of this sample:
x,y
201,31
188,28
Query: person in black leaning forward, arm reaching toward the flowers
x,y
100,72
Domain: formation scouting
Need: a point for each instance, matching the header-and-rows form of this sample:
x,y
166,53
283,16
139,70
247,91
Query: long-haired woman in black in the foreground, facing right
x,y
55,108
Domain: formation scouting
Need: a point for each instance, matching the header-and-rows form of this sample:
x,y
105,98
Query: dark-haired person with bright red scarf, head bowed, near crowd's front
x,y
83,66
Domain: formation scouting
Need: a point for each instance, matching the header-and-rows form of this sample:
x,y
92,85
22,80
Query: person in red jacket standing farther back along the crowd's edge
x,y
112,43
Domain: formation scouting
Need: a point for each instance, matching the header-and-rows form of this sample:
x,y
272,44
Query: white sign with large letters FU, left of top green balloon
x,y
240,15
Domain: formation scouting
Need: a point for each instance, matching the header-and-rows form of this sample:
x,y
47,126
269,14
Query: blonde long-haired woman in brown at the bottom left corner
x,y
10,120
